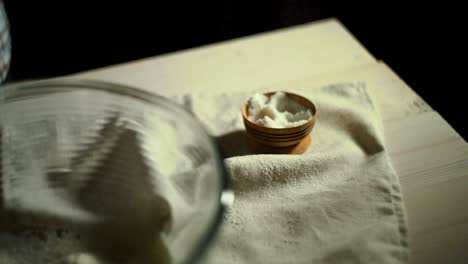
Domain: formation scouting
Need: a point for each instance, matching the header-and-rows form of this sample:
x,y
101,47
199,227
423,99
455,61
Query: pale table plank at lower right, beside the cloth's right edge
x,y
432,162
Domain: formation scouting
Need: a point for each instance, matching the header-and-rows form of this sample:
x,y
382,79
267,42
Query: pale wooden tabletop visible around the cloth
x,y
429,156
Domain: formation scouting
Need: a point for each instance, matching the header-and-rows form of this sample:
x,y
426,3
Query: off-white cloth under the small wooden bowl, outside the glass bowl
x,y
340,202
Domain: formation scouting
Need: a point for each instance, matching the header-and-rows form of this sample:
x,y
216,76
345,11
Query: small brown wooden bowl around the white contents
x,y
280,137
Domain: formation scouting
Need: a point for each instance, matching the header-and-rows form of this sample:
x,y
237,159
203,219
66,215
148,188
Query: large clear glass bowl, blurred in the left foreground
x,y
104,172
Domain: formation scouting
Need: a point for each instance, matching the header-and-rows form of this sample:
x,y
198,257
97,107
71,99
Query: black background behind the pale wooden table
x,y
423,43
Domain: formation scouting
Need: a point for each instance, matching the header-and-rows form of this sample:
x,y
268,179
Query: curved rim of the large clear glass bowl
x,y
23,89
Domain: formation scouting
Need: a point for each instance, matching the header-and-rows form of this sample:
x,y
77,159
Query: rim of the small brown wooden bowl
x,y
288,130
